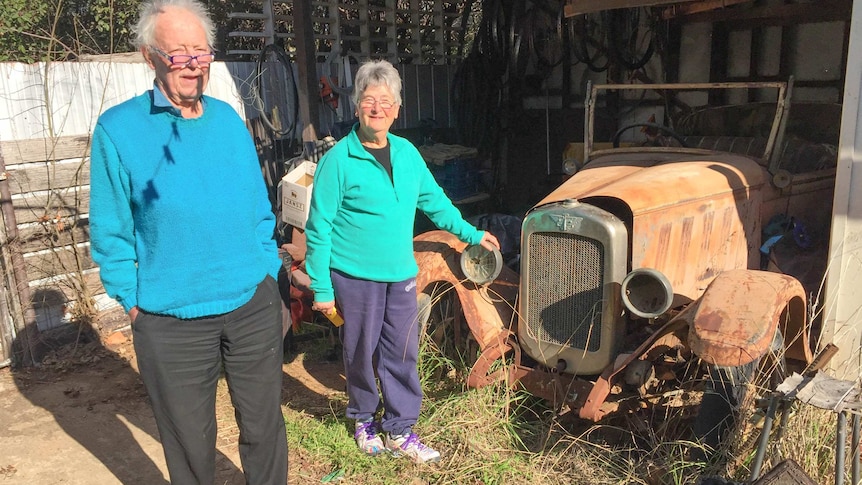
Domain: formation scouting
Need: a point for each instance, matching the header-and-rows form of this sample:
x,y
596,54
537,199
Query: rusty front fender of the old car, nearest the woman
x,y
488,309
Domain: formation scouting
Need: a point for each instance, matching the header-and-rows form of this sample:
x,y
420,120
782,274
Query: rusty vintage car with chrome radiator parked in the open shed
x,y
658,261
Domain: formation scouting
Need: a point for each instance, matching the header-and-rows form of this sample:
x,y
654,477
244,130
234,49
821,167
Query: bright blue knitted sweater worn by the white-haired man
x,y
180,220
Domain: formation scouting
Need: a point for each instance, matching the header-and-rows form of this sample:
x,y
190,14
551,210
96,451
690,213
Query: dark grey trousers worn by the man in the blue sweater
x,y
180,363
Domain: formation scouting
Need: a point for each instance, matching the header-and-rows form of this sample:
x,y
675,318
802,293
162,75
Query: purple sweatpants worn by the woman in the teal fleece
x,y
381,333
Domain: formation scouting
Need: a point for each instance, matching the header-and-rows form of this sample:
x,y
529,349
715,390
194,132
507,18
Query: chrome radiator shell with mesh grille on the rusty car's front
x,y
574,258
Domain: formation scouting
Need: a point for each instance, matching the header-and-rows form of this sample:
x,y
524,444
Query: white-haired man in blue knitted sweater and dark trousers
x,y
183,233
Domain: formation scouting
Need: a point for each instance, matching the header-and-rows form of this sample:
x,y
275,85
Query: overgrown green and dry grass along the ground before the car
x,y
497,435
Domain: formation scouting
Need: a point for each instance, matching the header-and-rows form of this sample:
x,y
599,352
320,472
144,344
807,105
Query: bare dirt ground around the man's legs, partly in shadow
x,y
83,417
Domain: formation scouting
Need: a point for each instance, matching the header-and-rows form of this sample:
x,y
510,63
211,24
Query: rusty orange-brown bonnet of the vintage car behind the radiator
x,y
711,185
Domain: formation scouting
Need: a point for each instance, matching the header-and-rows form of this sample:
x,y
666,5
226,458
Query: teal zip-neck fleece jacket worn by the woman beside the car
x,y
361,222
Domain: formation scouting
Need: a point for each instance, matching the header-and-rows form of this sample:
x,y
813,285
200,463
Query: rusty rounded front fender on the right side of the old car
x,y
735,320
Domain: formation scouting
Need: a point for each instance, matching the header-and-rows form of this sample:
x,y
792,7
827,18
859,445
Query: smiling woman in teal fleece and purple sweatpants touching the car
x,y
360,253
